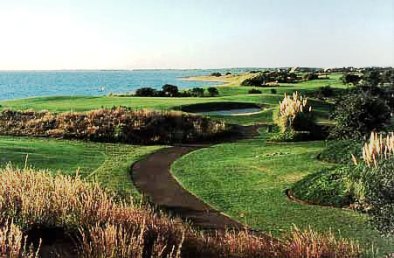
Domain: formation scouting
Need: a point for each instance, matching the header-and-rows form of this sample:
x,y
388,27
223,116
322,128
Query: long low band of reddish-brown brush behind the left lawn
x,y
112,125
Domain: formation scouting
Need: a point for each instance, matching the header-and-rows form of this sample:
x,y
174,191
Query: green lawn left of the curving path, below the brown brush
x,y
109,164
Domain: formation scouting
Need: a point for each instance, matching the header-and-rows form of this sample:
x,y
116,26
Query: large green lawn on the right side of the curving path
x,y
247,180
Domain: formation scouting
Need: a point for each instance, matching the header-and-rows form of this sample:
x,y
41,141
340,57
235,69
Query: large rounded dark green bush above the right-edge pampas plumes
x,y
357,114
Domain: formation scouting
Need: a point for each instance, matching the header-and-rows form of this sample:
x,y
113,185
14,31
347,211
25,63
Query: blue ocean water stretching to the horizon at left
x,y
23,84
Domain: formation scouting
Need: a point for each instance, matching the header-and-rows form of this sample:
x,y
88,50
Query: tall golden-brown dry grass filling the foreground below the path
x,y
110,228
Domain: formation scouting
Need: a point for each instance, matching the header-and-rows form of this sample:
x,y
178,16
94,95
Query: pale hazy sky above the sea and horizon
x,y
128,34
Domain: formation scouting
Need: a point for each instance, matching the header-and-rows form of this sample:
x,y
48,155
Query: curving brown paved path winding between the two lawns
x,y
152,176
